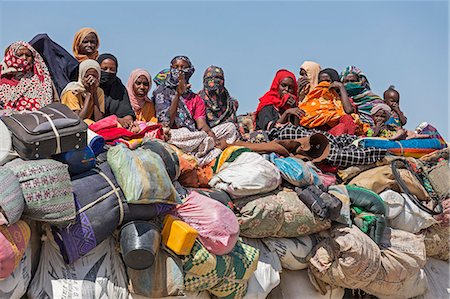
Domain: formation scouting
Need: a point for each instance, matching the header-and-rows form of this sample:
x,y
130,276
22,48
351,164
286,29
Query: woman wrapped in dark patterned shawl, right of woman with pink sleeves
x,y
220,106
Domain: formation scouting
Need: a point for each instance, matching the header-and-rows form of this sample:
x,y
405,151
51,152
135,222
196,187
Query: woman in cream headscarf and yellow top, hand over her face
x,y
85,97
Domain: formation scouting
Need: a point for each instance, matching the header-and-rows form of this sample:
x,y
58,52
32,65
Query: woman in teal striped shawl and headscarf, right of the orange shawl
x,y
358,89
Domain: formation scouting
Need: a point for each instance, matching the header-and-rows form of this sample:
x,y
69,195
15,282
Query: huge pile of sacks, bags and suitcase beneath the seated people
x,y
83,219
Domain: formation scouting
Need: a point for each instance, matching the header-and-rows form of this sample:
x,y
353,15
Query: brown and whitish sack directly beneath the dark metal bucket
x,y
164,278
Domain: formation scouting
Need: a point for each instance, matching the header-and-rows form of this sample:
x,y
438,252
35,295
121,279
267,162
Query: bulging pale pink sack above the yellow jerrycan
x,y
216,224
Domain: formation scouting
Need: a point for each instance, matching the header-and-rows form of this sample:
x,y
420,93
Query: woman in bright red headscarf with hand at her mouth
x,y
279,105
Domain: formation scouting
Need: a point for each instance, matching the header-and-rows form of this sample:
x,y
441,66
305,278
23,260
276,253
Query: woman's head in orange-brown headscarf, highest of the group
x,y
85,44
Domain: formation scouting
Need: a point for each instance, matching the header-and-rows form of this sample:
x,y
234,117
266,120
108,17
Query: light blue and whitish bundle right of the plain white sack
x,y
296,171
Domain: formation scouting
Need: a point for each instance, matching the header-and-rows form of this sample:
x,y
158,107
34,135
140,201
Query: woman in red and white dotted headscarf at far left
x,y
25,82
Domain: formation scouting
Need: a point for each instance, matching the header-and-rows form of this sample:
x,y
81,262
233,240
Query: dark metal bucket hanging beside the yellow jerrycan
x,y
139,242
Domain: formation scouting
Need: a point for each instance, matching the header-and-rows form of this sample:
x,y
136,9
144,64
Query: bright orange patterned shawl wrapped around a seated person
x,y
322,106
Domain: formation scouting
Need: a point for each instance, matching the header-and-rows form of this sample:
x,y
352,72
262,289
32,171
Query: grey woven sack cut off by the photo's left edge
x,y
12,202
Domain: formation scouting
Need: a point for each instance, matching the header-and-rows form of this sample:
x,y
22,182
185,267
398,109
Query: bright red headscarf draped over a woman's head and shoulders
x,y
273,98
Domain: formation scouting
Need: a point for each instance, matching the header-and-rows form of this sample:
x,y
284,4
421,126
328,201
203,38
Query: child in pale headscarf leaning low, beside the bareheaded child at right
x,y
381,113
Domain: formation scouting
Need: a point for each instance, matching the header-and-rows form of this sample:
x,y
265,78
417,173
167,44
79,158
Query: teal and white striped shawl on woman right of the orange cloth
x,y
364,100
